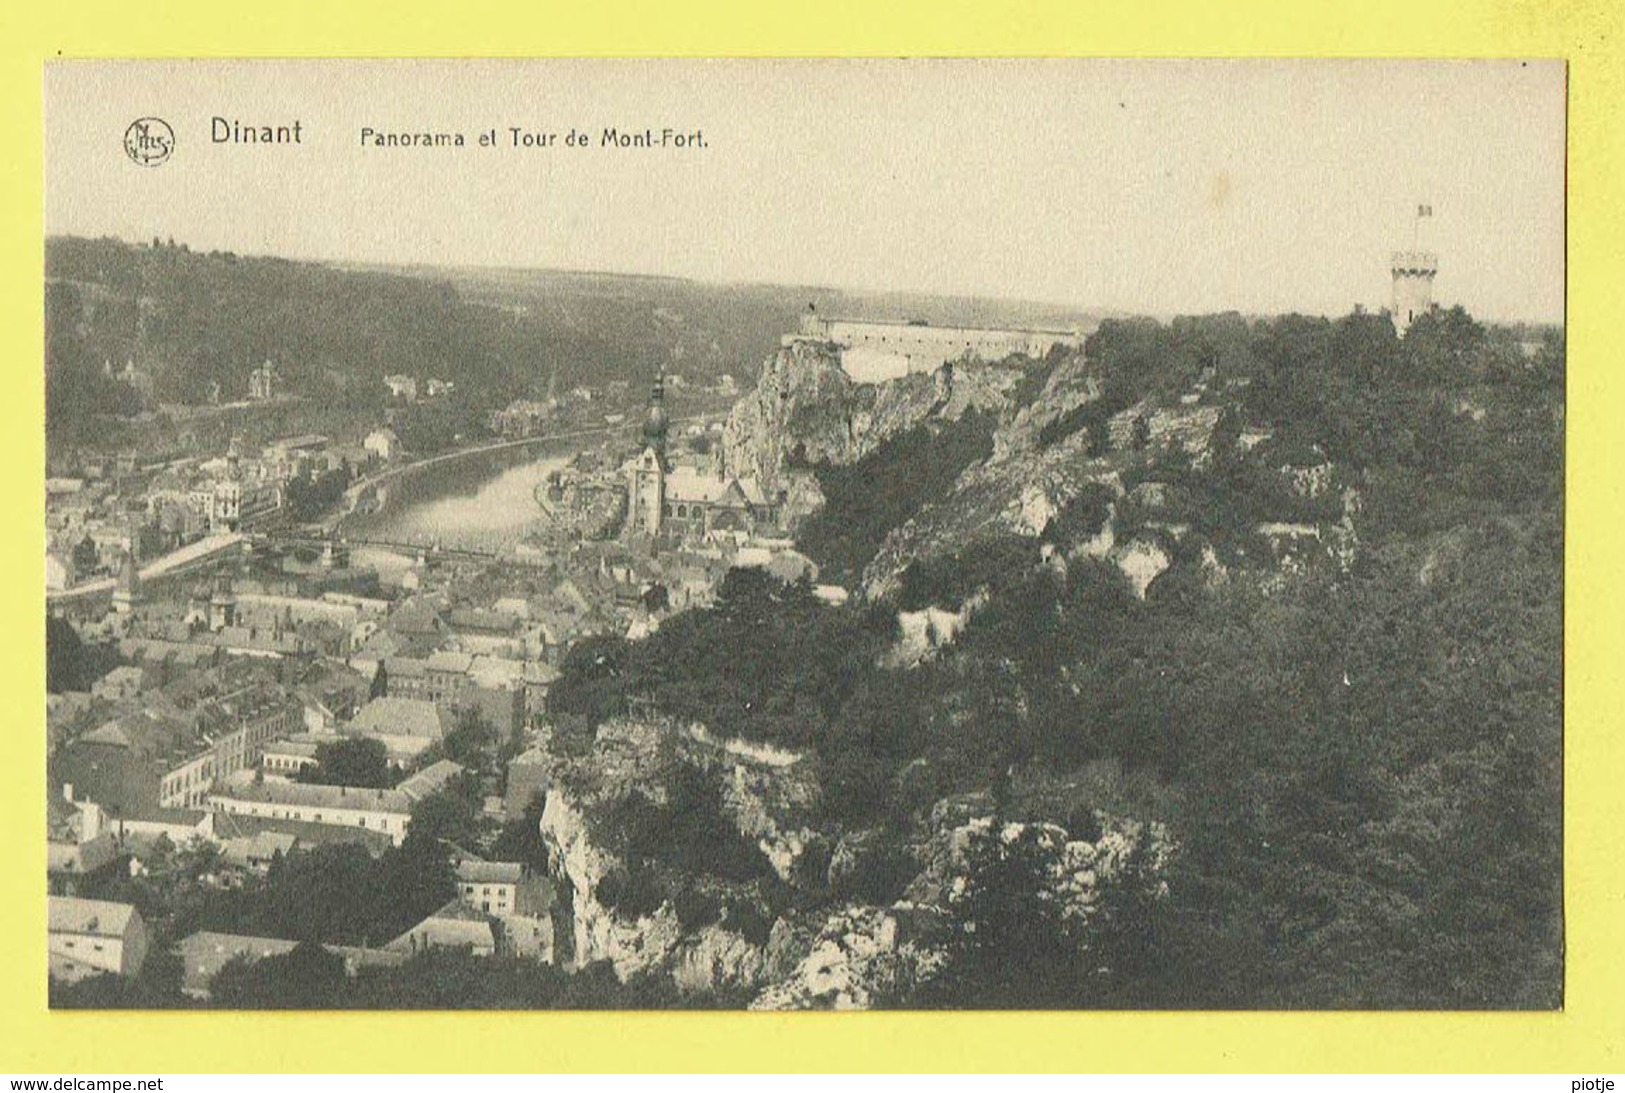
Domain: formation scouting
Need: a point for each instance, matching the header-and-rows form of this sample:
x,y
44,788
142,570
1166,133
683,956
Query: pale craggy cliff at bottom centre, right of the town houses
x,y
802,944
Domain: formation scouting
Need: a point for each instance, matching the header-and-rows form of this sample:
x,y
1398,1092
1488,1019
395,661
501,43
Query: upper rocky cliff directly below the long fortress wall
x,y
1054,441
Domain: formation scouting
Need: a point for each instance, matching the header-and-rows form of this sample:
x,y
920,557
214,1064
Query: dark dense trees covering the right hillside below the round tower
x,y
1361,769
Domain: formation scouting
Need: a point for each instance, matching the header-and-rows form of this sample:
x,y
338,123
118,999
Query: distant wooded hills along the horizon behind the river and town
x,y
194,321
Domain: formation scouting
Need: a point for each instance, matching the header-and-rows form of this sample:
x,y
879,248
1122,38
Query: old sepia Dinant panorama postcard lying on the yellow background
x,y
805,535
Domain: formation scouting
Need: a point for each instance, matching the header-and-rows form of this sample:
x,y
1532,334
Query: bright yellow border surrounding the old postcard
x,y
1588,1037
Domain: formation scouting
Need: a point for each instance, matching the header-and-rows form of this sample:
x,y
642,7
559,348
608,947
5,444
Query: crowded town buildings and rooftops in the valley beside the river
x,y
241,654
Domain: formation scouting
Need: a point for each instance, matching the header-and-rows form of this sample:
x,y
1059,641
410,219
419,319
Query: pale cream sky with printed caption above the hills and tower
x,y
1155,188
